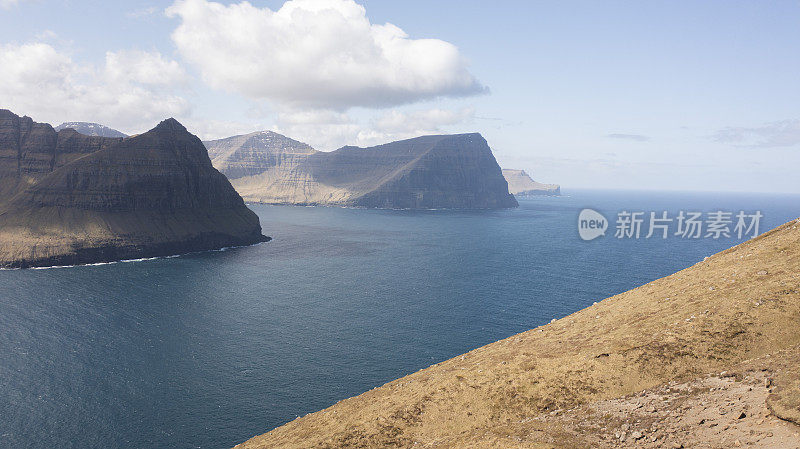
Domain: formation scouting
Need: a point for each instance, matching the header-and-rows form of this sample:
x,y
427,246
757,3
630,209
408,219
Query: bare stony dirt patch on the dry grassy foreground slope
x,y
721,411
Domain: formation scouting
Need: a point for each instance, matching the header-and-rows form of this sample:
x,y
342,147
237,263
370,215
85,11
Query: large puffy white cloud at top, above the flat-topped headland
x,y
316,54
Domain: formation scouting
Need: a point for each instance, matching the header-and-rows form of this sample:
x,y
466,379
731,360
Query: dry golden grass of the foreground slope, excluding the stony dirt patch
x,y
734,308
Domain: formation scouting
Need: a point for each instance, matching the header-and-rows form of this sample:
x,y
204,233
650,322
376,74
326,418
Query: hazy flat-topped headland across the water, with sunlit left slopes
x,y
430,172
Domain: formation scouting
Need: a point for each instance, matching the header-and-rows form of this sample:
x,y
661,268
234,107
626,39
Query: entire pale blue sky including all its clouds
x,y
645,95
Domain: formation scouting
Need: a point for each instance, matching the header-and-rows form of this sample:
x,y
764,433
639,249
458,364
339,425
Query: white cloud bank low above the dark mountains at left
x,y
46,84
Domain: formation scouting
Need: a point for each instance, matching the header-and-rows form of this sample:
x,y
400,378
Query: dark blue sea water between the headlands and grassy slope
x,y
207,350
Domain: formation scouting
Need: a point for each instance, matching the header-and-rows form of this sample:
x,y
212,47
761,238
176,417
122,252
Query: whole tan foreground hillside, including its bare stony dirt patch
x,y
690,360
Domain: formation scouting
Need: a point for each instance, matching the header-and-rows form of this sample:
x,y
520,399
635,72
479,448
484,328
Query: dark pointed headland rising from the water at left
x,y
154,194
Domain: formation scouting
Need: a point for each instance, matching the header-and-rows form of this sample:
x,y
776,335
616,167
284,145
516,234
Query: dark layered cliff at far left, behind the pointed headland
x,y
31,150
